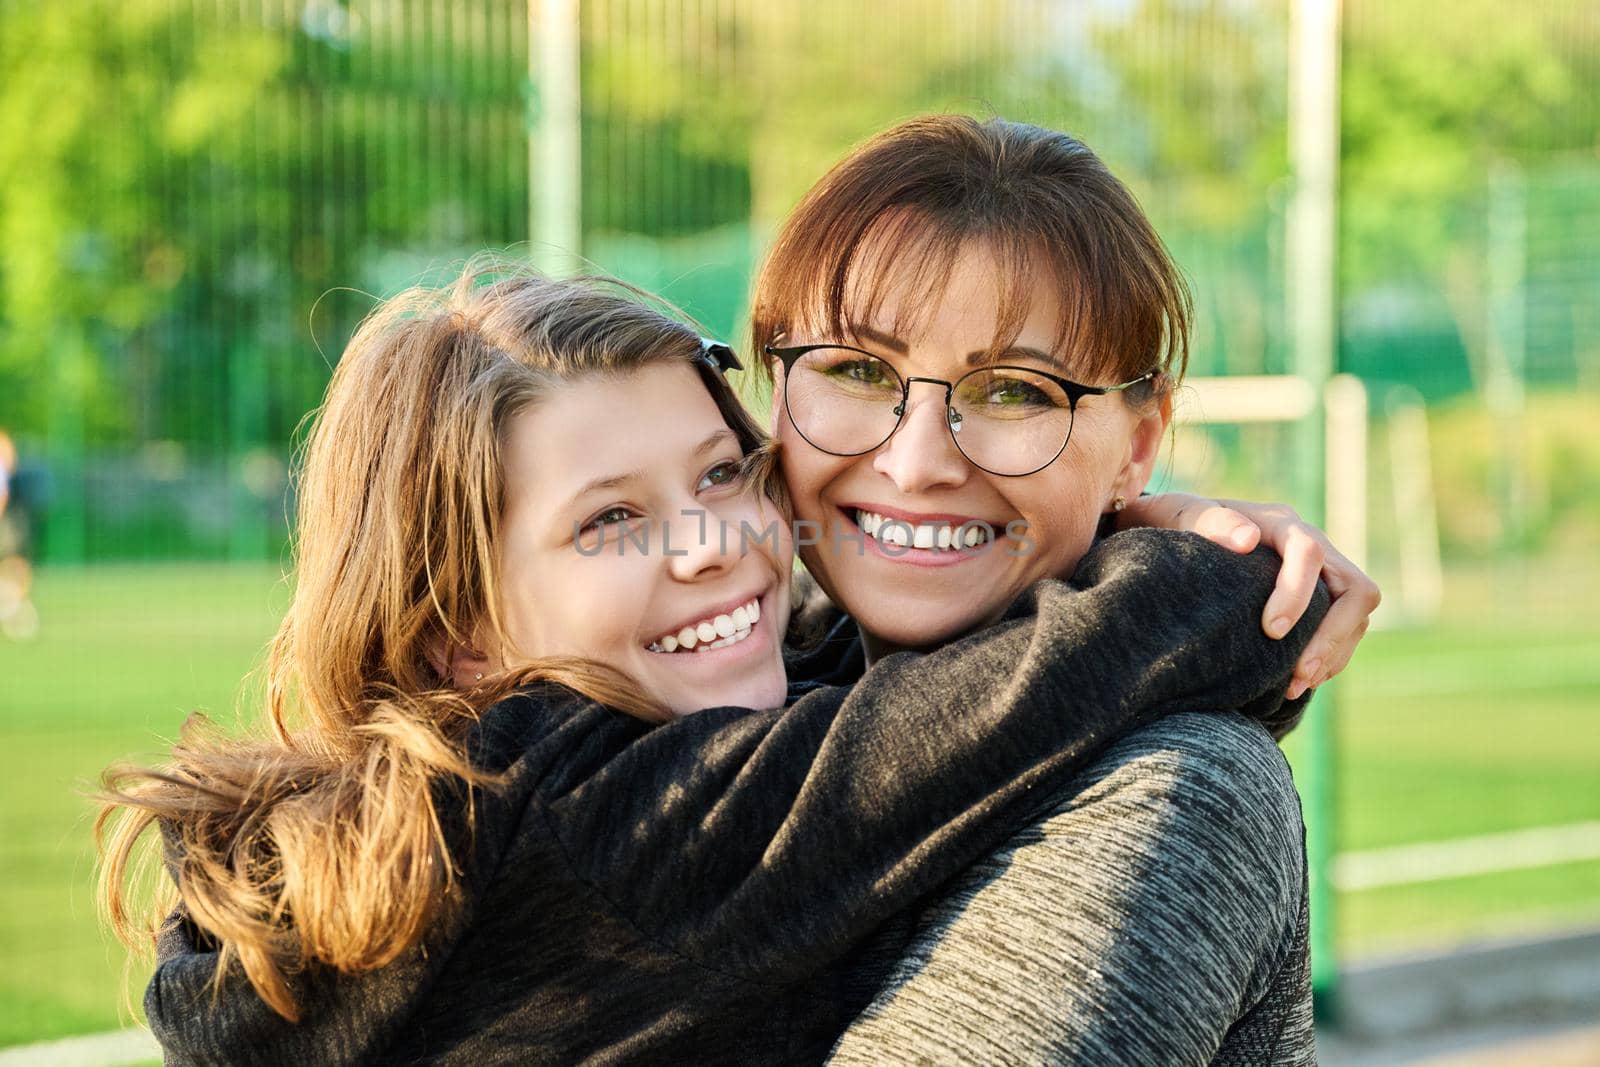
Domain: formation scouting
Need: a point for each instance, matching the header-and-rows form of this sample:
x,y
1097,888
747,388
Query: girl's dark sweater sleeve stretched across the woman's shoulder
x,y
766,845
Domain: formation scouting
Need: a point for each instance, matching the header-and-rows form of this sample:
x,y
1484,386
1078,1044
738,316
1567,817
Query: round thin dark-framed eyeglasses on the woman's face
x,y
1010,422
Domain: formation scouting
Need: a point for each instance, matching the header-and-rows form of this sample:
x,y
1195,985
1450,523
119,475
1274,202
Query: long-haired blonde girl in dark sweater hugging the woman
x,y
524,508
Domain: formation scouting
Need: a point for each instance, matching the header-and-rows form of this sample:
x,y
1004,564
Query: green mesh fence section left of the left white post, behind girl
x,y
183,183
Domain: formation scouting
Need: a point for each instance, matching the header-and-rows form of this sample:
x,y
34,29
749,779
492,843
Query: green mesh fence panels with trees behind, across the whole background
x,y
186,182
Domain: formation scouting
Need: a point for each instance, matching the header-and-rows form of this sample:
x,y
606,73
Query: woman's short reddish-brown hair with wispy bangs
x,y
910,202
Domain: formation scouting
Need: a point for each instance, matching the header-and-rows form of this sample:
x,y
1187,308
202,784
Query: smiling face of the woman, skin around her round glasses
x,y
1044,522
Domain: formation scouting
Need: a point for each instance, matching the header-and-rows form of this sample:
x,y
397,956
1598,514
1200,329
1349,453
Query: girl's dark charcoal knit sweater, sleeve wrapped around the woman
x,y
711,890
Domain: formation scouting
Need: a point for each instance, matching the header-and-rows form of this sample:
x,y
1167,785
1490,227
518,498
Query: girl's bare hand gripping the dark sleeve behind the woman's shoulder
x,y
1308,556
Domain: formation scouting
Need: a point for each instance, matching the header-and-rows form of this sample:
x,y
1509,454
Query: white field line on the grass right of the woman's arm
x,y
1490,853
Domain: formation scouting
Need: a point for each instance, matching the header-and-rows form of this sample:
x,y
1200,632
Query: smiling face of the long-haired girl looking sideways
x,y
622,543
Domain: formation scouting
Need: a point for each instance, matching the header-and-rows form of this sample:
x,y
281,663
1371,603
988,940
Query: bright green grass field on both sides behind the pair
x,y
1486,724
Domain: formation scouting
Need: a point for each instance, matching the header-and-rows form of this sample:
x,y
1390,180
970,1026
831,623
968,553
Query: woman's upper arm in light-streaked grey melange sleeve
x,y
1156,916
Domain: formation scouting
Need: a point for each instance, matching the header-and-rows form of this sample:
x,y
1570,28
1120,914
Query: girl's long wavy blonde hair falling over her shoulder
x,y
322,841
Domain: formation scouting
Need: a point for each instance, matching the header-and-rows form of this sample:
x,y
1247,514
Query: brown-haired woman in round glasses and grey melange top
x,y
975,337
